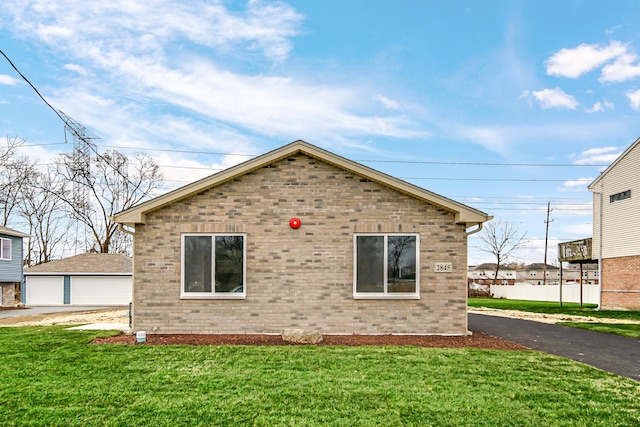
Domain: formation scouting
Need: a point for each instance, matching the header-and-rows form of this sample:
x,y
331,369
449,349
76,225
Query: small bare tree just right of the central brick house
x,y
502,240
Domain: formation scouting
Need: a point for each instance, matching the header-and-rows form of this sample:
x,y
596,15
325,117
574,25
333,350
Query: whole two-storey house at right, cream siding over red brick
x,y
616,230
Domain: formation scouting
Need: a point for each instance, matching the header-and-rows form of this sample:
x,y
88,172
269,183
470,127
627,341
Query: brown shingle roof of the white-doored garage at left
x,y
89,263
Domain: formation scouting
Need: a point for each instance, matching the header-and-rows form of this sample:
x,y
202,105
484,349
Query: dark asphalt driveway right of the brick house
x,y
612,353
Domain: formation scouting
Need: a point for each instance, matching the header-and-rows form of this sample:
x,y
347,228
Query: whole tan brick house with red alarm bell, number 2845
x,y
300,238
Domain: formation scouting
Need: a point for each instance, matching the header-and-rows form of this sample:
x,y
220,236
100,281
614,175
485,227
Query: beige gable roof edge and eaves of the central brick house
x,y
464,214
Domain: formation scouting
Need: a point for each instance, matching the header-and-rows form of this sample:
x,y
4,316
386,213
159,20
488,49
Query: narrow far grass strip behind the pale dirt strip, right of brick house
x,y
553,308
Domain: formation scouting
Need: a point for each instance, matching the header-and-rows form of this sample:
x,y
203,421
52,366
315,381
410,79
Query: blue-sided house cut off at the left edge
x,y
11,261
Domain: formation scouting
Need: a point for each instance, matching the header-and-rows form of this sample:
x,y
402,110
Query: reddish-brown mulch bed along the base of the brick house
x,y
477,340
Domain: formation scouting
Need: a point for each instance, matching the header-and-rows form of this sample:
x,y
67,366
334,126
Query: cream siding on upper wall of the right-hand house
x,y
620,219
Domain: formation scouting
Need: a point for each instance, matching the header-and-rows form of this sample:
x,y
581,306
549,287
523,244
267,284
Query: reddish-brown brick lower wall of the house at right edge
x,y
621,283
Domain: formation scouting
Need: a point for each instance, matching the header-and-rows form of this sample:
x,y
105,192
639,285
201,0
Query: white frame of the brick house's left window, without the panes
x,y
213,294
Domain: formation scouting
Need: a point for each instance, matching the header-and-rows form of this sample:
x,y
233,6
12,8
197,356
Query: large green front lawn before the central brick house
x,y
50,376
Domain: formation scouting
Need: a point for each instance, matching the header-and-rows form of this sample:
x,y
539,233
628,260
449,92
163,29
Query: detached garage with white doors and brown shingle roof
x,y
86,279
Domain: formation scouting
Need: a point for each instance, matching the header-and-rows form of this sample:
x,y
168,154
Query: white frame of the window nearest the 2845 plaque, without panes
x,y
385,295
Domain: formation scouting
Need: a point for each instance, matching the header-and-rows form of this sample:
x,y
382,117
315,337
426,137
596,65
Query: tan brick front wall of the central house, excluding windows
x,y
299,278
